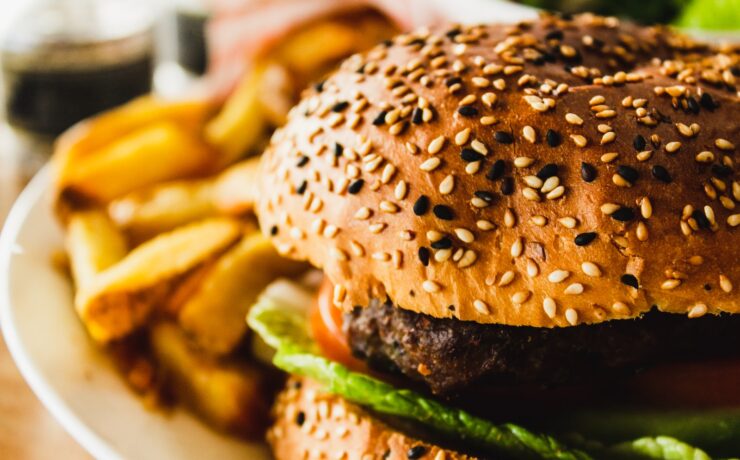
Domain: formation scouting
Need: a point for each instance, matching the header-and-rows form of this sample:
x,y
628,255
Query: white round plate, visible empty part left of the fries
x,y
69,374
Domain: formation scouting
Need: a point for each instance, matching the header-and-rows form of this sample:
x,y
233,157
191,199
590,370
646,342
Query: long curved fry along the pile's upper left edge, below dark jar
x,y
87,137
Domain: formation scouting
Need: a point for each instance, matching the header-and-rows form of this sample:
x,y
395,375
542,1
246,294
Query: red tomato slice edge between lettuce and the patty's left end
x,y
326,325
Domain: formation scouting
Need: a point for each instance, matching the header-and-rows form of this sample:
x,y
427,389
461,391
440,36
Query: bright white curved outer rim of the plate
x,y
87,437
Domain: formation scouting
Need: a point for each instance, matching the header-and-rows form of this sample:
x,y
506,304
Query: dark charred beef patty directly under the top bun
x,y
449,354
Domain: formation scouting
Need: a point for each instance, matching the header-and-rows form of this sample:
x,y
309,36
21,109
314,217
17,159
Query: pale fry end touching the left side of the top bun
x,y
236,189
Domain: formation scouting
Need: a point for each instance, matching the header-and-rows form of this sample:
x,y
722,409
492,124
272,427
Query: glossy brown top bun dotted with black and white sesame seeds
x,y
548,173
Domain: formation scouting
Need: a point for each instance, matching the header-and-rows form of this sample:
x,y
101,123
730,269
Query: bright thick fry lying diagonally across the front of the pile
x,y
121,298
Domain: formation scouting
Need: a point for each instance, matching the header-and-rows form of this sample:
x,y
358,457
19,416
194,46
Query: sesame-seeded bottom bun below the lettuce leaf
x,y
310,423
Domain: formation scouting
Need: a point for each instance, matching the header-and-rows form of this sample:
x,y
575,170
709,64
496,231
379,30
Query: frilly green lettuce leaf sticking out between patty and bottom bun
x,y
284,328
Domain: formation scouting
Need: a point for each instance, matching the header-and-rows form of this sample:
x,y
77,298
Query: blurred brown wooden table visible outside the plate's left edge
x,y
27,430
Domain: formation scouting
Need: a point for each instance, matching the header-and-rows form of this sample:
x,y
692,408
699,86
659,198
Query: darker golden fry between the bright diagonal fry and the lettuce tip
x,y
214,315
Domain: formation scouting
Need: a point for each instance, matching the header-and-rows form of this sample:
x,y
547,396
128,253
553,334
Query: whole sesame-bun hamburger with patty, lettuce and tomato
x,y
528,235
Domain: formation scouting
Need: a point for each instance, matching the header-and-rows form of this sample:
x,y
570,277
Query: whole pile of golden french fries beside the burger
x,y
162,244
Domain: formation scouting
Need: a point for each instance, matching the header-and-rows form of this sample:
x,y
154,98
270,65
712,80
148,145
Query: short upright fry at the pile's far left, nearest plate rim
x,y
93,244
